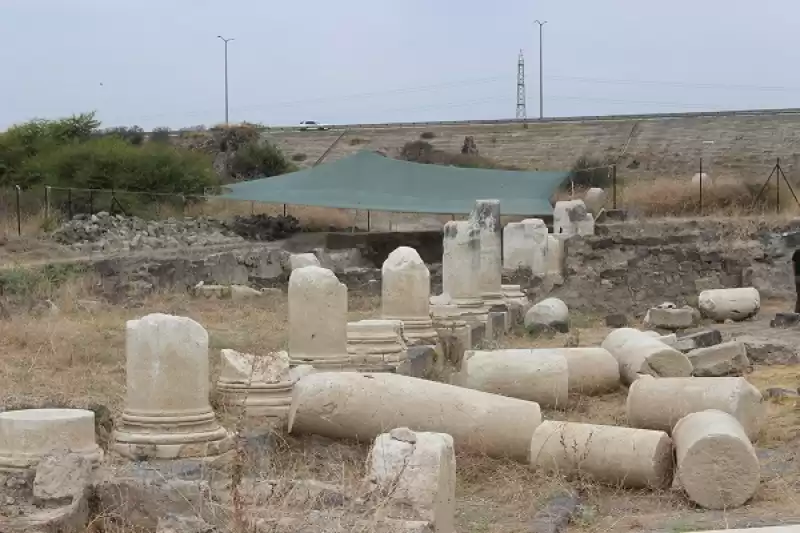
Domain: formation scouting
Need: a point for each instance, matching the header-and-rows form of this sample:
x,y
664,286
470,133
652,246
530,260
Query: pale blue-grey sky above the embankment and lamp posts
x,y
160,64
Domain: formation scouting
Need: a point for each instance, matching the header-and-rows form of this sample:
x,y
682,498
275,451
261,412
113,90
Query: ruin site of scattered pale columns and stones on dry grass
x,y
590,370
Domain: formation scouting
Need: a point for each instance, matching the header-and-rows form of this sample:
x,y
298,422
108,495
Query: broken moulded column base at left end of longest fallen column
x,y
261,386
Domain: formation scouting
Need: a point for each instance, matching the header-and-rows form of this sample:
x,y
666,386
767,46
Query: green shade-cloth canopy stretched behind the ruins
x,y
368,180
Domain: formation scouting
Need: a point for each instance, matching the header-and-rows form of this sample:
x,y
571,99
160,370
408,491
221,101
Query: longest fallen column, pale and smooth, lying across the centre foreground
x,y
362,406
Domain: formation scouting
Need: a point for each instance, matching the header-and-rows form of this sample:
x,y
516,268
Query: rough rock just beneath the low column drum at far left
x,y
62,477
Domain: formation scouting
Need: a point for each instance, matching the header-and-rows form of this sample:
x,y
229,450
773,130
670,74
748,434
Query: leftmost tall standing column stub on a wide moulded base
x,y
167,414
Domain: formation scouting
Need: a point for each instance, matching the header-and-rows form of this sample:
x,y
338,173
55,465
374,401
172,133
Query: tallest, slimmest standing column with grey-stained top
x,y
486,216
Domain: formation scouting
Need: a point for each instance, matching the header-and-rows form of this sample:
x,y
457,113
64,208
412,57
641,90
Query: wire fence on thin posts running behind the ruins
x,y
37,210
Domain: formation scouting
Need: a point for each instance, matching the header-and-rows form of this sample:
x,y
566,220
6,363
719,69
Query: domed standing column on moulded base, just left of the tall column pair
x,y
405,295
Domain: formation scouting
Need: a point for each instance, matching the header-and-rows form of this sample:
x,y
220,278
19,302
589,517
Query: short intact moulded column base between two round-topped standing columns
x,y
371,342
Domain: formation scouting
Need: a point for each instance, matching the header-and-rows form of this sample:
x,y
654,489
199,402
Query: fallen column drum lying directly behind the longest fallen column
x,y
540,376
